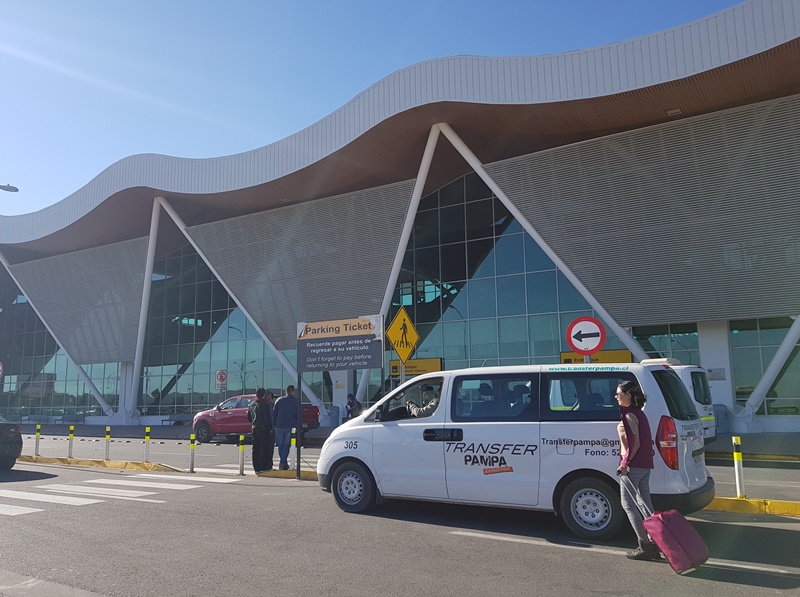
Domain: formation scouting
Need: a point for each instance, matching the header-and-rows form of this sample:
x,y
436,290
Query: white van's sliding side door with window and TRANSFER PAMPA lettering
x,y
496,459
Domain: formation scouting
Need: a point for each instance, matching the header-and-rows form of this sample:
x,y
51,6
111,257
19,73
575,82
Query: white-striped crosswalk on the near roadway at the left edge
x,y
139,488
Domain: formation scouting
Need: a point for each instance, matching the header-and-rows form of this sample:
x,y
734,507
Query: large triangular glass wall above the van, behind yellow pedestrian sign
x,y
478,289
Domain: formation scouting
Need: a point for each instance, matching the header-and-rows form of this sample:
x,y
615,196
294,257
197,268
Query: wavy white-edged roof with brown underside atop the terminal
x,y
500,106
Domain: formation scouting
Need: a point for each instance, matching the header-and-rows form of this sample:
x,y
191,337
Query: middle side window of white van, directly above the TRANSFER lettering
x,y
495,398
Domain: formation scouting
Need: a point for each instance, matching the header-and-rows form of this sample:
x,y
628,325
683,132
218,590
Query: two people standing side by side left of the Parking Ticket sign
x,y
272,422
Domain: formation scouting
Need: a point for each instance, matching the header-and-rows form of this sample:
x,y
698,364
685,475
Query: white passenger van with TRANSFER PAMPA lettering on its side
x,y
539,437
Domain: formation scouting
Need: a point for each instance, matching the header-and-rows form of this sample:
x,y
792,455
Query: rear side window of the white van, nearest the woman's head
x,y
579,396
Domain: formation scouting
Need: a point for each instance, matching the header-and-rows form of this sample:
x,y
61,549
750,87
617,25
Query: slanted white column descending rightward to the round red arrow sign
x,y
632,345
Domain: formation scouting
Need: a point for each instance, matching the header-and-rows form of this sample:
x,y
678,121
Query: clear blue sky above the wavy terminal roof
x,y
85,83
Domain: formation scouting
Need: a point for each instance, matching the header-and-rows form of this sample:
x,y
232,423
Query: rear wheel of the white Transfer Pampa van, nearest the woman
x,y
591,509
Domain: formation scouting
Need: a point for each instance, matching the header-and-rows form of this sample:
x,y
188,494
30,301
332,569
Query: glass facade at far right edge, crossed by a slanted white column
x,y
754,343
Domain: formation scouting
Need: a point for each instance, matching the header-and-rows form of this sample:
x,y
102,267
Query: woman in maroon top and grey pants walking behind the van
x,y
636,462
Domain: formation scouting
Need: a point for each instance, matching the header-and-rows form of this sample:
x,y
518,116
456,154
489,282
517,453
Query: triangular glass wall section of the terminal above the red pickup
x,y
195,329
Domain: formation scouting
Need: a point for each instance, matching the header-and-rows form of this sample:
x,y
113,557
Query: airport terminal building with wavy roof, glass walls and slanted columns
x,y
653,184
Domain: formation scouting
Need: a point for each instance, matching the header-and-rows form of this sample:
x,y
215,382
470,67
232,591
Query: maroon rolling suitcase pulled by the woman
x,y
683,547
